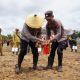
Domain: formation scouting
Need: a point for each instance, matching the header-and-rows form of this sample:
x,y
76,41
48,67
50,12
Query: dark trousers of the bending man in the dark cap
x,y
59,46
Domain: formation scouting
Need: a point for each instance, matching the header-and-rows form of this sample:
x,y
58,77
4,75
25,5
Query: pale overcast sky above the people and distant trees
x,y
13,12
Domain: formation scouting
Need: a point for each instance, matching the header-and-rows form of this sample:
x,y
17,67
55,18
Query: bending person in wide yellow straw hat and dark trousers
x,y
29,36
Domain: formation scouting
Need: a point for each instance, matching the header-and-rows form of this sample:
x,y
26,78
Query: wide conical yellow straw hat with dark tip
x,y
34,21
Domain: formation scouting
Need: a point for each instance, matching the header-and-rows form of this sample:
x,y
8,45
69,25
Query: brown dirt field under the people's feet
x,y
71,67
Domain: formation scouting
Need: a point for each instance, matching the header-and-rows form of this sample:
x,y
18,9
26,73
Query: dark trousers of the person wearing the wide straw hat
x,y
23,52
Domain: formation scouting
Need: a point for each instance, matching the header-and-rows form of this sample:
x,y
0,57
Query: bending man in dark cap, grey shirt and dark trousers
x,y
58,40
